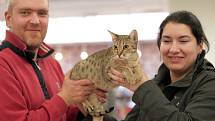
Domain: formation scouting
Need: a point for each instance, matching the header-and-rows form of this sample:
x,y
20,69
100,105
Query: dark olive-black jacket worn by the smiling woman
x,y
189,99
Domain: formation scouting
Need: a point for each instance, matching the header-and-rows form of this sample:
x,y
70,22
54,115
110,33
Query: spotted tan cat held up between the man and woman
x,y
122,56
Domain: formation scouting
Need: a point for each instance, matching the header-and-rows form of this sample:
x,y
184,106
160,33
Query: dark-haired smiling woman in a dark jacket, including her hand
x,y
183,89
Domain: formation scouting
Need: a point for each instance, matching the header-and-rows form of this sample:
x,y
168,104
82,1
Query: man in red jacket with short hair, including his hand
x,y
31,81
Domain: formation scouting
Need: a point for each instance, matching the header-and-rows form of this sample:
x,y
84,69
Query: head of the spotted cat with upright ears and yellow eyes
x,y
125,46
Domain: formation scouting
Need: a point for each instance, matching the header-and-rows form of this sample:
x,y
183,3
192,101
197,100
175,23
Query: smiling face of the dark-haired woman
x,y
179,48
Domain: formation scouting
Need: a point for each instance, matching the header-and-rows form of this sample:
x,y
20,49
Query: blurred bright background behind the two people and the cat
x,y
78,28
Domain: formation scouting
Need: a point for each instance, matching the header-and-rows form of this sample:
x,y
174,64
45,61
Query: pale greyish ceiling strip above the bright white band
x,y
65,8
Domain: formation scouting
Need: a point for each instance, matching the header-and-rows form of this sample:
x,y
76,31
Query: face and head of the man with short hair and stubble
x,y
28,19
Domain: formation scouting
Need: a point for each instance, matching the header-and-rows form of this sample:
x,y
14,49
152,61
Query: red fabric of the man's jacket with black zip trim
x,y
21,96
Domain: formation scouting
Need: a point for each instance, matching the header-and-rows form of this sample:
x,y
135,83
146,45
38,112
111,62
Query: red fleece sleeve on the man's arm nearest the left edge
x,y
14,106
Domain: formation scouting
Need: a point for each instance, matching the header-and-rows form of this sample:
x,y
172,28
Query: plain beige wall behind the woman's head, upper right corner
x,y
205,11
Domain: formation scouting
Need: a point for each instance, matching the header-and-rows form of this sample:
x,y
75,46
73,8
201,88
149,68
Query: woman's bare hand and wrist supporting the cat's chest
x,y
119,80
